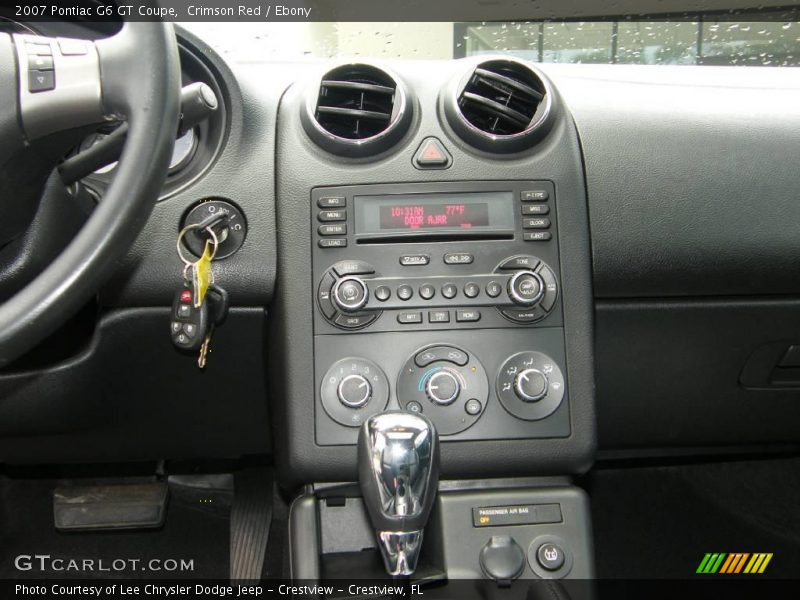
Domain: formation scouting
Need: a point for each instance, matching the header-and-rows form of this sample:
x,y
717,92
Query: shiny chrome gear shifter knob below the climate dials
x,y
398,467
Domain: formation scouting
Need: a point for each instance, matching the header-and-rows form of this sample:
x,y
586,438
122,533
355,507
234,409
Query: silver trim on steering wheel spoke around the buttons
x,y
77,98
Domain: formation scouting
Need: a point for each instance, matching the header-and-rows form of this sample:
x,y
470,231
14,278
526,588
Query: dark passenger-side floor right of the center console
x,y
659,522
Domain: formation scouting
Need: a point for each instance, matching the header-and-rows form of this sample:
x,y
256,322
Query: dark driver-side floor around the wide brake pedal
x,y
193,543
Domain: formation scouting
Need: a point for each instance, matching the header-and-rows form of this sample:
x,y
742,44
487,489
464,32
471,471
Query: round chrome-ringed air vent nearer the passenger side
x,y
502,105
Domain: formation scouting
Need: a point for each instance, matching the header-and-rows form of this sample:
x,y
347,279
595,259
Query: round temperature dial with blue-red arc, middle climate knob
x,y
449,383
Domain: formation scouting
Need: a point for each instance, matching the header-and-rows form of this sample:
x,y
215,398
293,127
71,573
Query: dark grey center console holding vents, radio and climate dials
x,y
431,270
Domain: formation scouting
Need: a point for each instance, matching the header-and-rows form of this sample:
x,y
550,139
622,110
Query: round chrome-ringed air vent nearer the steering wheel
x,y
358,110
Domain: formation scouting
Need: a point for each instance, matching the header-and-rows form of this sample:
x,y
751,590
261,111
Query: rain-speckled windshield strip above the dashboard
x,y
699,40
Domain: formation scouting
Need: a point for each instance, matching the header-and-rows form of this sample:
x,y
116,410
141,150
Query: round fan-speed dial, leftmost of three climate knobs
x,y
353,389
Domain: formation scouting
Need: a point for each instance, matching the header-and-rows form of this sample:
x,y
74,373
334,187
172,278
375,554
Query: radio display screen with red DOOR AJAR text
x,y
464,214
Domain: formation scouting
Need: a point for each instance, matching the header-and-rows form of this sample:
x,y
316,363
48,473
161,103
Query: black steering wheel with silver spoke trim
x,y
50,87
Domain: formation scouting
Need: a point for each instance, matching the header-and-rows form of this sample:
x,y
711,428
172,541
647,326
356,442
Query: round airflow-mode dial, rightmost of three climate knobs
x,y
530,386
